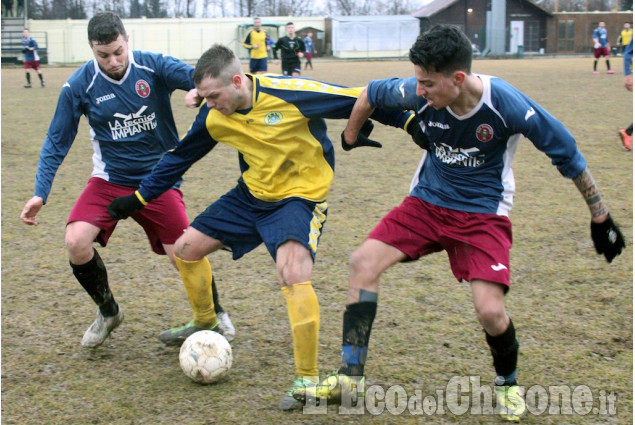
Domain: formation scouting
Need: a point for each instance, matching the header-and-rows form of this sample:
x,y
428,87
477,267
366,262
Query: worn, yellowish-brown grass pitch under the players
x,y
573,311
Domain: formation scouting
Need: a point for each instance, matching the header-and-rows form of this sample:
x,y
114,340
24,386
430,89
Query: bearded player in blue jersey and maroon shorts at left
x,y
125,95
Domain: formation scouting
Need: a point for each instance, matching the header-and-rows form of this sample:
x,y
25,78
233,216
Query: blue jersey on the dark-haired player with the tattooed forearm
x,y
468,167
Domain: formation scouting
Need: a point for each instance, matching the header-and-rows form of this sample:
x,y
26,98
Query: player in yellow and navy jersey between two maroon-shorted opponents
x,y
287,162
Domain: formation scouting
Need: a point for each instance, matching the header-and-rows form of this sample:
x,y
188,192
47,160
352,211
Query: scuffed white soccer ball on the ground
x,y
206,357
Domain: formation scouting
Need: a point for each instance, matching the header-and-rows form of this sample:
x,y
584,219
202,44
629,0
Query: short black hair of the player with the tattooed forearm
x,y
443,48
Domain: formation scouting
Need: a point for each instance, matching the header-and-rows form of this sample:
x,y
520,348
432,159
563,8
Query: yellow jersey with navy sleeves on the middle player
x,y
284,150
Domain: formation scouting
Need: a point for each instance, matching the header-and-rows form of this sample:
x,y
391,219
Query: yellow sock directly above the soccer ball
x,y
197,279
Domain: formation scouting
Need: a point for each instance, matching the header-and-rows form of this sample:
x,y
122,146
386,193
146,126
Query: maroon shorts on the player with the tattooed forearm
x,y
477,244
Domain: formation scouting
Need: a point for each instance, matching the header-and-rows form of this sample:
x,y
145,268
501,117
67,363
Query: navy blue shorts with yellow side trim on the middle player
x,y
242,222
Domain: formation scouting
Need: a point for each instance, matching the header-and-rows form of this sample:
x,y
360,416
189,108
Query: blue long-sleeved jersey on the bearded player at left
x,y
131,121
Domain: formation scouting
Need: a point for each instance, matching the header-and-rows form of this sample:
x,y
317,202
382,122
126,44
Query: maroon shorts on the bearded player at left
x,y
163,219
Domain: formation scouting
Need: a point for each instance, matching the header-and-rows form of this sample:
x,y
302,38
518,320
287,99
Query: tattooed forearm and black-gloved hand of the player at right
x,y
606,235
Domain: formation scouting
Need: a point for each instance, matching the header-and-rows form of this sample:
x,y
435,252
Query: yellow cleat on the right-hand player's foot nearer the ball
x,y
334,388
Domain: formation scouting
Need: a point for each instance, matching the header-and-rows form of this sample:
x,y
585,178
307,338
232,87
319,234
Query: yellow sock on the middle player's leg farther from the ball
x,y
304,317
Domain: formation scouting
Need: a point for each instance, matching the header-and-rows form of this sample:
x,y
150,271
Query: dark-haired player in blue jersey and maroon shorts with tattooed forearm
x,y
459,201
